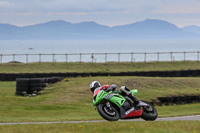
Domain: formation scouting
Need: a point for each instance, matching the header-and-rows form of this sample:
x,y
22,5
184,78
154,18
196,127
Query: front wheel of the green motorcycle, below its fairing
x,y
110,114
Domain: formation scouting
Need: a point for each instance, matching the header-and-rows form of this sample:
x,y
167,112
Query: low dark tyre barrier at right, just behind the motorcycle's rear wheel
x,y
179,99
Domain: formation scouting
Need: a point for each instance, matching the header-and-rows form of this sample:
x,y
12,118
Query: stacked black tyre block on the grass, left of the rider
x,y
33,85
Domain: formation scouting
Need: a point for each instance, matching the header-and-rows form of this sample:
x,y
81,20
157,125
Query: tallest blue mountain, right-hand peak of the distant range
x,y
152,28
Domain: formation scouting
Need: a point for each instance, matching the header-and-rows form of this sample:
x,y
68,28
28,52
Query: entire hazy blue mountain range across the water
x,y
147,29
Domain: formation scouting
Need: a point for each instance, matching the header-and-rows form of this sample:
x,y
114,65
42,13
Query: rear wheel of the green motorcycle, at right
x,y
149,113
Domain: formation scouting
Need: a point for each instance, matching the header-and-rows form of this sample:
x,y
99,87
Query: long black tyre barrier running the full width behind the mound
x,y
181,73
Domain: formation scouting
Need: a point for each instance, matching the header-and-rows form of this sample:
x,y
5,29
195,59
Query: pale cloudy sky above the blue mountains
x,y
106,12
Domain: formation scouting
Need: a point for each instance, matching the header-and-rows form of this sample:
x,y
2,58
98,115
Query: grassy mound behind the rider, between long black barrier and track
x,y
72,100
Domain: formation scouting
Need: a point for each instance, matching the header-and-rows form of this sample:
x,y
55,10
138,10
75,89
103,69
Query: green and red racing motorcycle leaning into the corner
x,y
112,106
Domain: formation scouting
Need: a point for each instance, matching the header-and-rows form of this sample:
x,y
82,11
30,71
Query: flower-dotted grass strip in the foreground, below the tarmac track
x,y
108,127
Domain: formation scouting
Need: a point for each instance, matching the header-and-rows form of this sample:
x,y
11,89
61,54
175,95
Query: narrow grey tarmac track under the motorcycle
x,y
181,118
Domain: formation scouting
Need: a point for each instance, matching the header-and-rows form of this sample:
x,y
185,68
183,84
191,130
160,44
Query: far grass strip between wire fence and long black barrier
x,y
97,67
